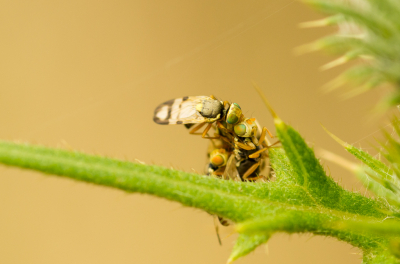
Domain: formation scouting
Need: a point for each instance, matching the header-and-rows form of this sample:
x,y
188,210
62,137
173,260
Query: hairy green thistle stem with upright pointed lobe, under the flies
x,y
301,199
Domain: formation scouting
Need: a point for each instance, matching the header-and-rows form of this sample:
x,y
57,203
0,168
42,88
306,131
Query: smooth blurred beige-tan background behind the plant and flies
x,y
88,75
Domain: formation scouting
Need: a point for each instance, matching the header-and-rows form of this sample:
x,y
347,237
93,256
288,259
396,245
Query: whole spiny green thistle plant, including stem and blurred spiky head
x,y
303,198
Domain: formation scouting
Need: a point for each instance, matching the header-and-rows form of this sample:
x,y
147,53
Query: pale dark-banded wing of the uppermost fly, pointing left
x,y
180,111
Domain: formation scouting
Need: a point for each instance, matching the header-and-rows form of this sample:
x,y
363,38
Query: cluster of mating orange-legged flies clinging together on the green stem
x,y
235,151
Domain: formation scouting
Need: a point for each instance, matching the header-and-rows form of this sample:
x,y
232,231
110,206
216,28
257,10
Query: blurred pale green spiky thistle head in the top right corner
x,y
369,30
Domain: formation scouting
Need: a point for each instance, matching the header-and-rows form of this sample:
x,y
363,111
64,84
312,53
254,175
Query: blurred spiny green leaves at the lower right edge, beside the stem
x,y
382,179
